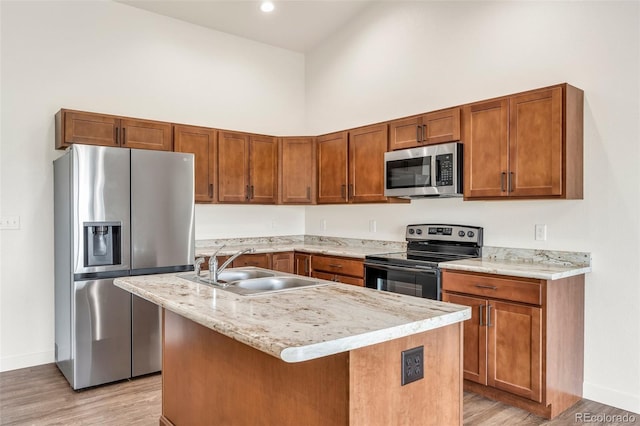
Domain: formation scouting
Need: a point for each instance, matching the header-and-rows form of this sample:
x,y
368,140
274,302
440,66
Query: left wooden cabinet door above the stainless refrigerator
x,y
90,129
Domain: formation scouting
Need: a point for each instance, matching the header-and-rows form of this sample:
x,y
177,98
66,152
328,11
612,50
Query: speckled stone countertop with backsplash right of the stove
x,y
526,263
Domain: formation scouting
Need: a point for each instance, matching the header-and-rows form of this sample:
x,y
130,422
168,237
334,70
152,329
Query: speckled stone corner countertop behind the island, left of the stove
x,y
347,247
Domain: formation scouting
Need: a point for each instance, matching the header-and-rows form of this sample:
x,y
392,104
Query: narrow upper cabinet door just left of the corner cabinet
x,y
263,169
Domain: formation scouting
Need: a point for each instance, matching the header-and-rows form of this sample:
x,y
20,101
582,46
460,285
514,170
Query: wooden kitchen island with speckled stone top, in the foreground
x,y
330,354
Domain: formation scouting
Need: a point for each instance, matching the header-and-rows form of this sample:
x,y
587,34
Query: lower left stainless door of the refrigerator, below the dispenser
x,y
102,333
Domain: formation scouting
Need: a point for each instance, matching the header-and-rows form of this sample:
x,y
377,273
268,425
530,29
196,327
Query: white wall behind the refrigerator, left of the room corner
x,y
107,57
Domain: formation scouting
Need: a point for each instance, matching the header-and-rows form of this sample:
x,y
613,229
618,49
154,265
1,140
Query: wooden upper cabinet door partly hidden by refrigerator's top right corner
x,y
201,142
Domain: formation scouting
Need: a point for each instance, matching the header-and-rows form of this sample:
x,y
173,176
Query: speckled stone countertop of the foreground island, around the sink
x,y
299,324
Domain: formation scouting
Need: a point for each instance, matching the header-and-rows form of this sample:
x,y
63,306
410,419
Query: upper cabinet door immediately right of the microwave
x,y
485,127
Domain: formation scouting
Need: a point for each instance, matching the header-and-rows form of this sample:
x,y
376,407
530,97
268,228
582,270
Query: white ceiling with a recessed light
x,y
297,25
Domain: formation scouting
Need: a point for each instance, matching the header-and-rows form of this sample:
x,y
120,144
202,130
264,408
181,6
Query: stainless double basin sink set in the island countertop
x,y
253,281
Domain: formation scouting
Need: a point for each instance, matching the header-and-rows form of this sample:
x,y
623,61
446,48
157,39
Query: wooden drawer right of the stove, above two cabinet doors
x,y
491,286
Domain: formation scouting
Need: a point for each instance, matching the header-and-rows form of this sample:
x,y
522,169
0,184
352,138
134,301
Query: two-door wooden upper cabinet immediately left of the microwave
x,y
351,165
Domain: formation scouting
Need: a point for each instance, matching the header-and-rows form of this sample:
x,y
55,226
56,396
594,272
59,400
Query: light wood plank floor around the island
x,y
41,396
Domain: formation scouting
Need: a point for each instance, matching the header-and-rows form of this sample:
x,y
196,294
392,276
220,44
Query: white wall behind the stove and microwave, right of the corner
x,y
402,58
